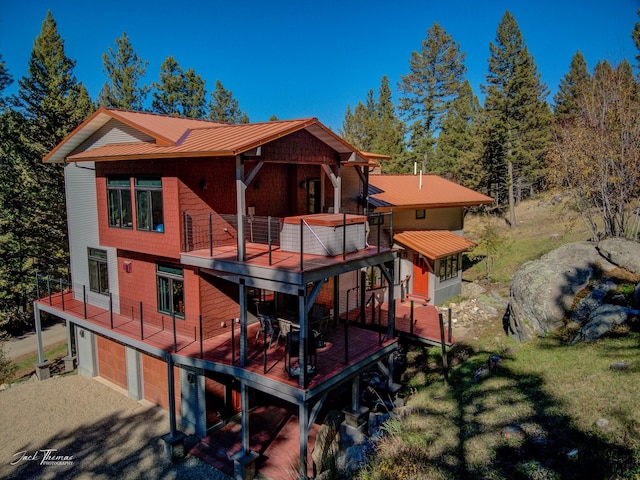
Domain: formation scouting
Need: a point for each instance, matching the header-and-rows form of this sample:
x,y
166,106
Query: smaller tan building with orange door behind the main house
x,y
427,228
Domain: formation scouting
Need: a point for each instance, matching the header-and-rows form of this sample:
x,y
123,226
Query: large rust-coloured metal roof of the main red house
x,y
184,137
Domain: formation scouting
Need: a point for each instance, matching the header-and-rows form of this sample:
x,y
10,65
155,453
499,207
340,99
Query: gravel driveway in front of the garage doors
x,y
102,433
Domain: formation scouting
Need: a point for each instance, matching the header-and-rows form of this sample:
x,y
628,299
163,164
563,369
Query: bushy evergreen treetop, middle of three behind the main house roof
x,y
178,92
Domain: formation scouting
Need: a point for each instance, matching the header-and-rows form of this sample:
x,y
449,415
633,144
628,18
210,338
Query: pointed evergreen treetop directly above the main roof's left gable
x,y
124,70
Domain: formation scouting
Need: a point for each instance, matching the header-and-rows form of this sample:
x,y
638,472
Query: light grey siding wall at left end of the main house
x,y
82,220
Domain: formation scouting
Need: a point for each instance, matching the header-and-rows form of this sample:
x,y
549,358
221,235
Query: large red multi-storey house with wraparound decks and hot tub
x,y
195,245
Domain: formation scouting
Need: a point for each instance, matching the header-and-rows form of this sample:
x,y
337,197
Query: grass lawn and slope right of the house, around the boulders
x,y
551,410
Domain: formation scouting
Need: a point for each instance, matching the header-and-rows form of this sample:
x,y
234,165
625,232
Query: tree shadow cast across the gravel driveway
x,y
112,447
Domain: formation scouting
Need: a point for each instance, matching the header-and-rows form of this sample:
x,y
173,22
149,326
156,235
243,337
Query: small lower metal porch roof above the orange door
x,y
434,244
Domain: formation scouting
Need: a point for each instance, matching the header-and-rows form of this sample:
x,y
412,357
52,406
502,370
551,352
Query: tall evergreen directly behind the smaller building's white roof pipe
x,y
434,78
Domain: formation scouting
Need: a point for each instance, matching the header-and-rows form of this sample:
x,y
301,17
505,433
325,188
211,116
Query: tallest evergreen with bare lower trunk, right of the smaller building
x,y
518,117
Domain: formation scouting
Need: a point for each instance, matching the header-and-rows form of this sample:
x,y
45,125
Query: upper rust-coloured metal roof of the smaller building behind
x,y
392,191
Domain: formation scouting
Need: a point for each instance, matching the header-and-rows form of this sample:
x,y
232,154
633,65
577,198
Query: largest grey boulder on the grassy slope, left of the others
x,y
543,291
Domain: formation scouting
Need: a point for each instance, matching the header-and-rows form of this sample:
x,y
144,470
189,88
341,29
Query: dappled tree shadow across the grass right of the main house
x,y
505,425
